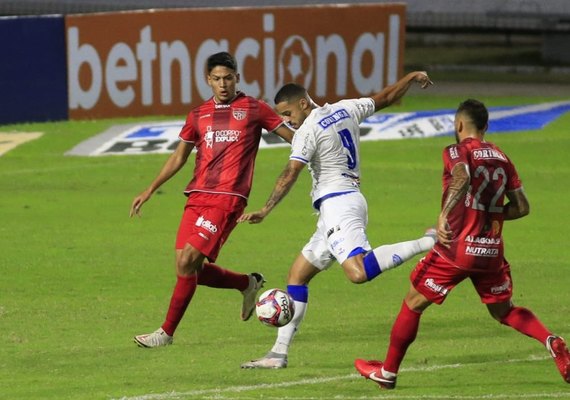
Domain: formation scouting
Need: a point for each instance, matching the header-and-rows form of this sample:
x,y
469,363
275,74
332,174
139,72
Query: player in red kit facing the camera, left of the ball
x,y
225,130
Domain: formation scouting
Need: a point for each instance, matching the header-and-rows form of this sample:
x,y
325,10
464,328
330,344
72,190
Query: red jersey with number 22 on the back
x,y
477,221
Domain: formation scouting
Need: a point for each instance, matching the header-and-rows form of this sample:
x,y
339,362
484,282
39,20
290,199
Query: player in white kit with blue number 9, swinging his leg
x,y
327,139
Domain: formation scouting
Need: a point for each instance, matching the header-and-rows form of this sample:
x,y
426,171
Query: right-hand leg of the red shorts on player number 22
x,y
495,286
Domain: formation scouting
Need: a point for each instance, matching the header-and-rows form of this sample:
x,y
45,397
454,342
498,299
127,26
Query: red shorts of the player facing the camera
x,y
208,220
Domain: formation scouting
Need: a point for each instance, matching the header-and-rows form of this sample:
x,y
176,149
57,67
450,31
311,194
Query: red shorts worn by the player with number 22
x,y
435,277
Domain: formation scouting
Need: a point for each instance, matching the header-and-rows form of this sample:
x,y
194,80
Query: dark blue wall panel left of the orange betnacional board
x,y
33,78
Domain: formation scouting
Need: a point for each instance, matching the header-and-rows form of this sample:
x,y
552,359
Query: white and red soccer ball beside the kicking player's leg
x,y
275,308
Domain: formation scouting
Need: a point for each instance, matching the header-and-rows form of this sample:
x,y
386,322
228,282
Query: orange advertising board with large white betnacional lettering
x,y
145,64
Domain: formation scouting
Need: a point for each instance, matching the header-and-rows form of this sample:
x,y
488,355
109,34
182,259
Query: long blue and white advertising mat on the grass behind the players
x,y
162,137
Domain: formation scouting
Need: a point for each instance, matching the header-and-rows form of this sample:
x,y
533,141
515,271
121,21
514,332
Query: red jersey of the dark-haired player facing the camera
x,y
227,138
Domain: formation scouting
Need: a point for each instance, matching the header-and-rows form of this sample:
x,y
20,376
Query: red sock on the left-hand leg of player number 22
x,y
403,334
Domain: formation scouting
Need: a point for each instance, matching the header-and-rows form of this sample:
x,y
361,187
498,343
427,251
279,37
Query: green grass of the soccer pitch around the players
x,y
79,279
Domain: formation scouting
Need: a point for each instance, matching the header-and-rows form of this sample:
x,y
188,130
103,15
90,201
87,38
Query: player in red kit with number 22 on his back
x,y
477,177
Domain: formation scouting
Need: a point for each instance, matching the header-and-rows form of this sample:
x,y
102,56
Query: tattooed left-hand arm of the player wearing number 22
x,y
455,193
